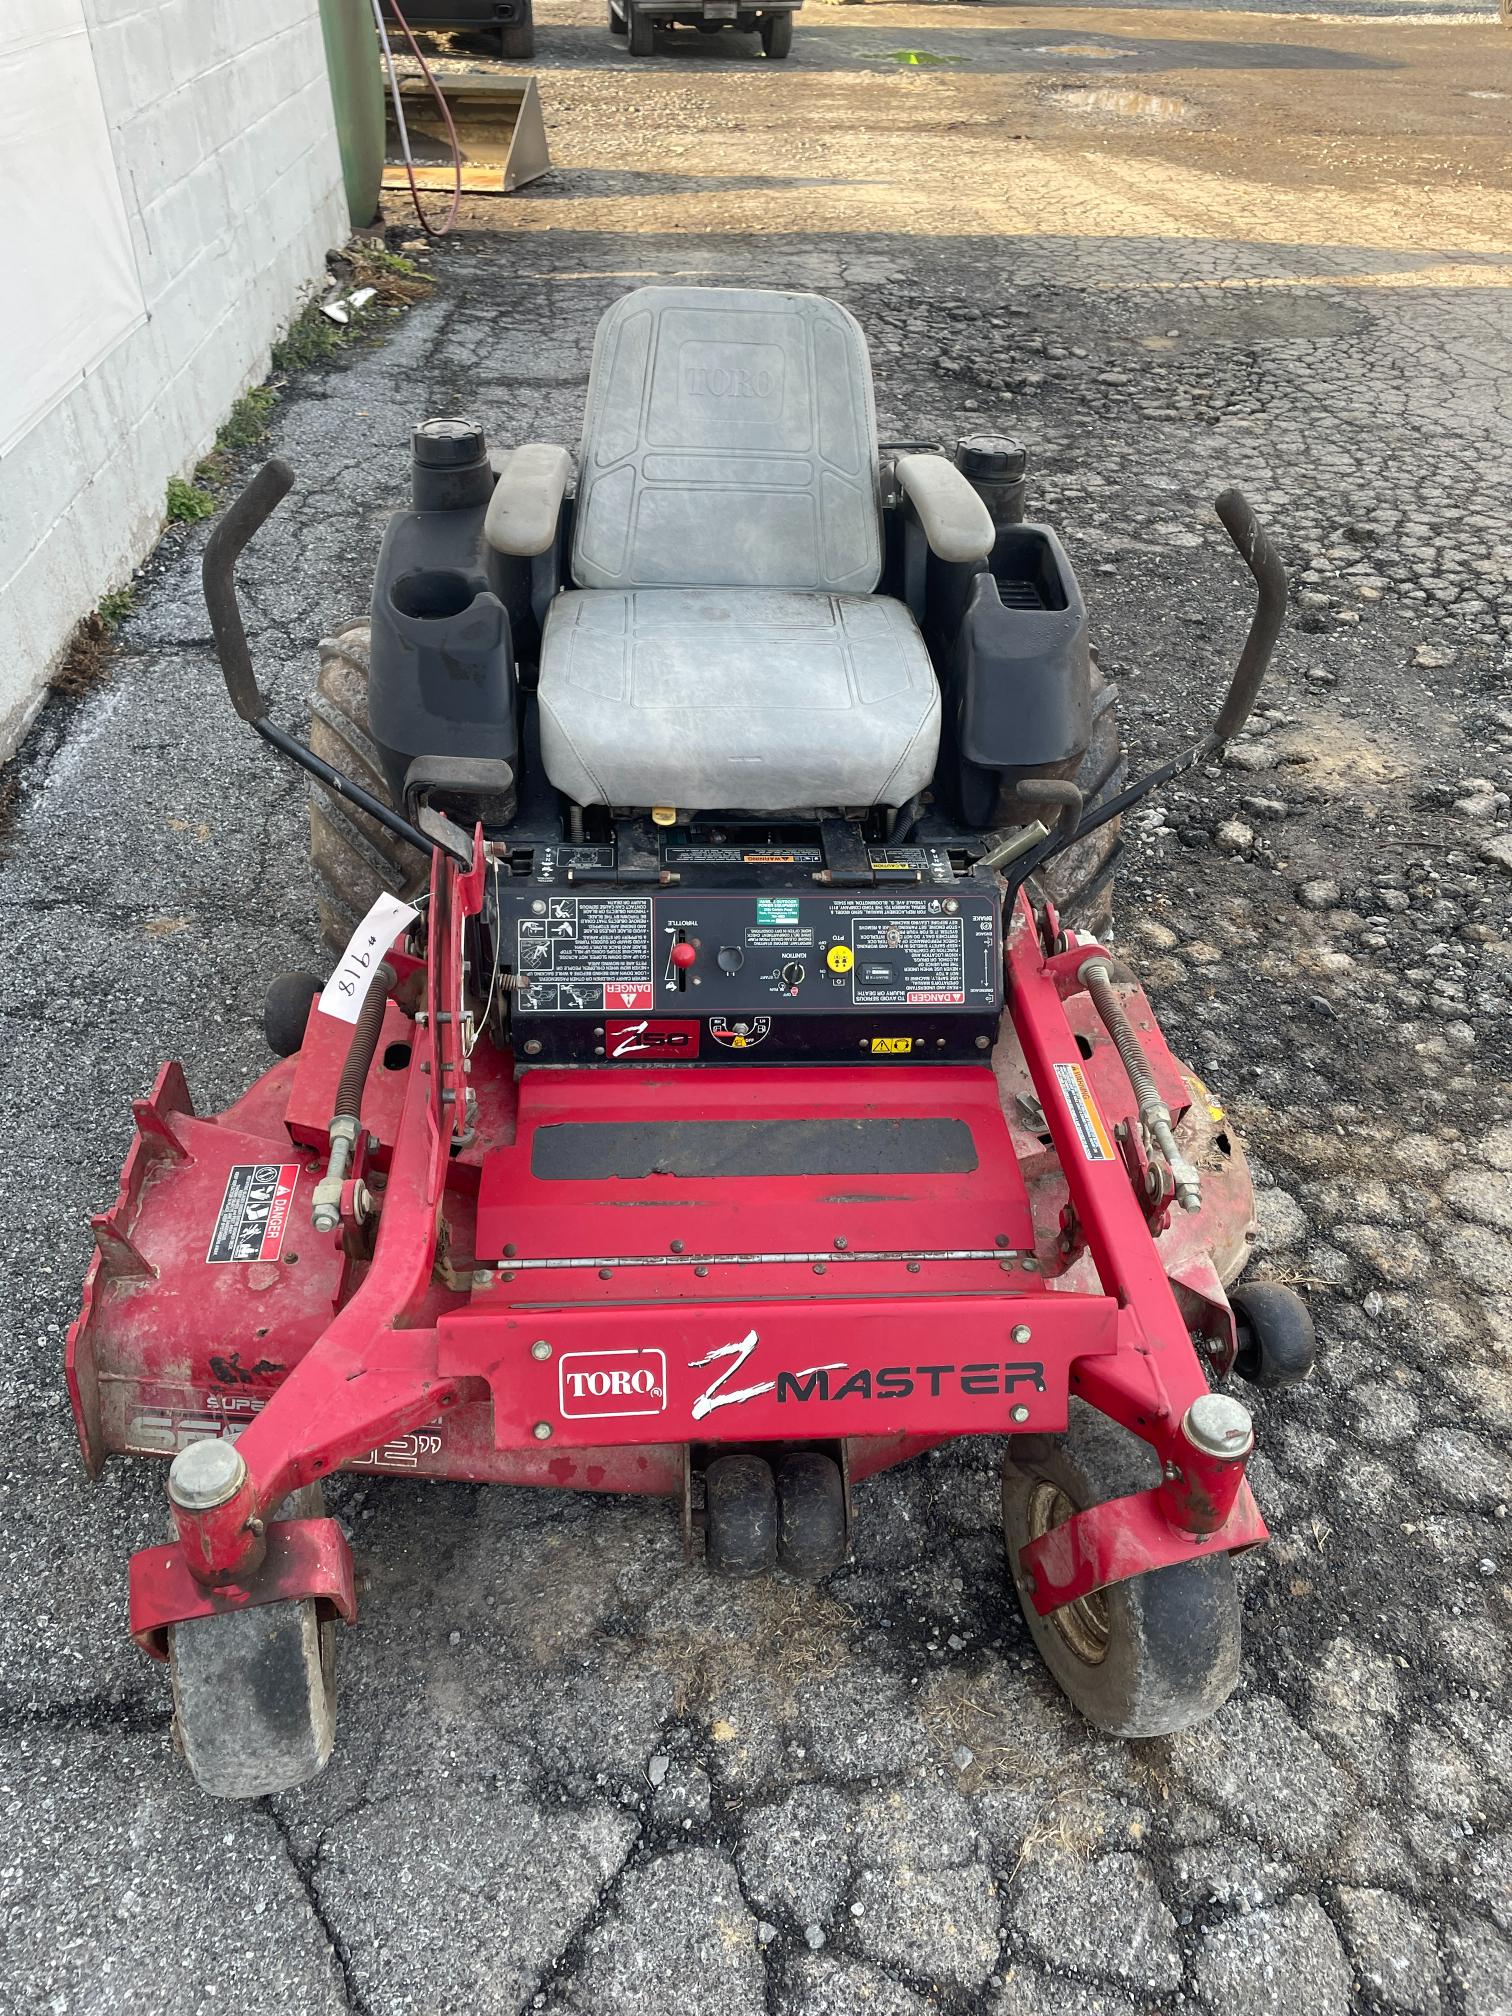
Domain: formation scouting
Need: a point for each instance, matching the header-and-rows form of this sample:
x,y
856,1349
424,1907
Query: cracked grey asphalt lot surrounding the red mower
x,y
572,1773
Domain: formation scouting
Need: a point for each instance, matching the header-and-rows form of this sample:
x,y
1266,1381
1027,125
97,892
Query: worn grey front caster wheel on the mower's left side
x,y
255,1698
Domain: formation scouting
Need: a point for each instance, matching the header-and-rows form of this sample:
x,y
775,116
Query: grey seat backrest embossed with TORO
x,y
731,440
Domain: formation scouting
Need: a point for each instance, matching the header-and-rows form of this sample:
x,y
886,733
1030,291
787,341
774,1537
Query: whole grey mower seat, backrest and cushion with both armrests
x,y
723,648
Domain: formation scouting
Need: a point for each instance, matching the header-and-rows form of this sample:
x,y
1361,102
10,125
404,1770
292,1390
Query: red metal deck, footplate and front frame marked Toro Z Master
x,y
588,1334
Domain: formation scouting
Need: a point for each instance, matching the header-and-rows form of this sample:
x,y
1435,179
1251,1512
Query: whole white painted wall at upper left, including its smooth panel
x,y
178,182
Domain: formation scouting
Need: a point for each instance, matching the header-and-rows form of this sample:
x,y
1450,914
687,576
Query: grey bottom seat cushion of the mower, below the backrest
x,y
737,701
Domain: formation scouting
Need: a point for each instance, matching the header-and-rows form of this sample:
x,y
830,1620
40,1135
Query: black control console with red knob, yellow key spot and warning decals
x,y
721,955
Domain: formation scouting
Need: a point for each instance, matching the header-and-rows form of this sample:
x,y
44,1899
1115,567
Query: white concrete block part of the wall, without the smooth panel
x,y
227,154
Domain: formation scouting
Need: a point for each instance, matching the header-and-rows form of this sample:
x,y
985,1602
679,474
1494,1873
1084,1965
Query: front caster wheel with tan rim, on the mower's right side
x,y
1142,1658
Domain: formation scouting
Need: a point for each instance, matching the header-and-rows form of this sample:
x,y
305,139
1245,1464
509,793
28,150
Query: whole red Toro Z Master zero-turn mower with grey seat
x,y
721,1090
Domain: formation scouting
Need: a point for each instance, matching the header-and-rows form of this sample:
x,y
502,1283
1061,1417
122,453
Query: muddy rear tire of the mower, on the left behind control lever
x,y
352,856
